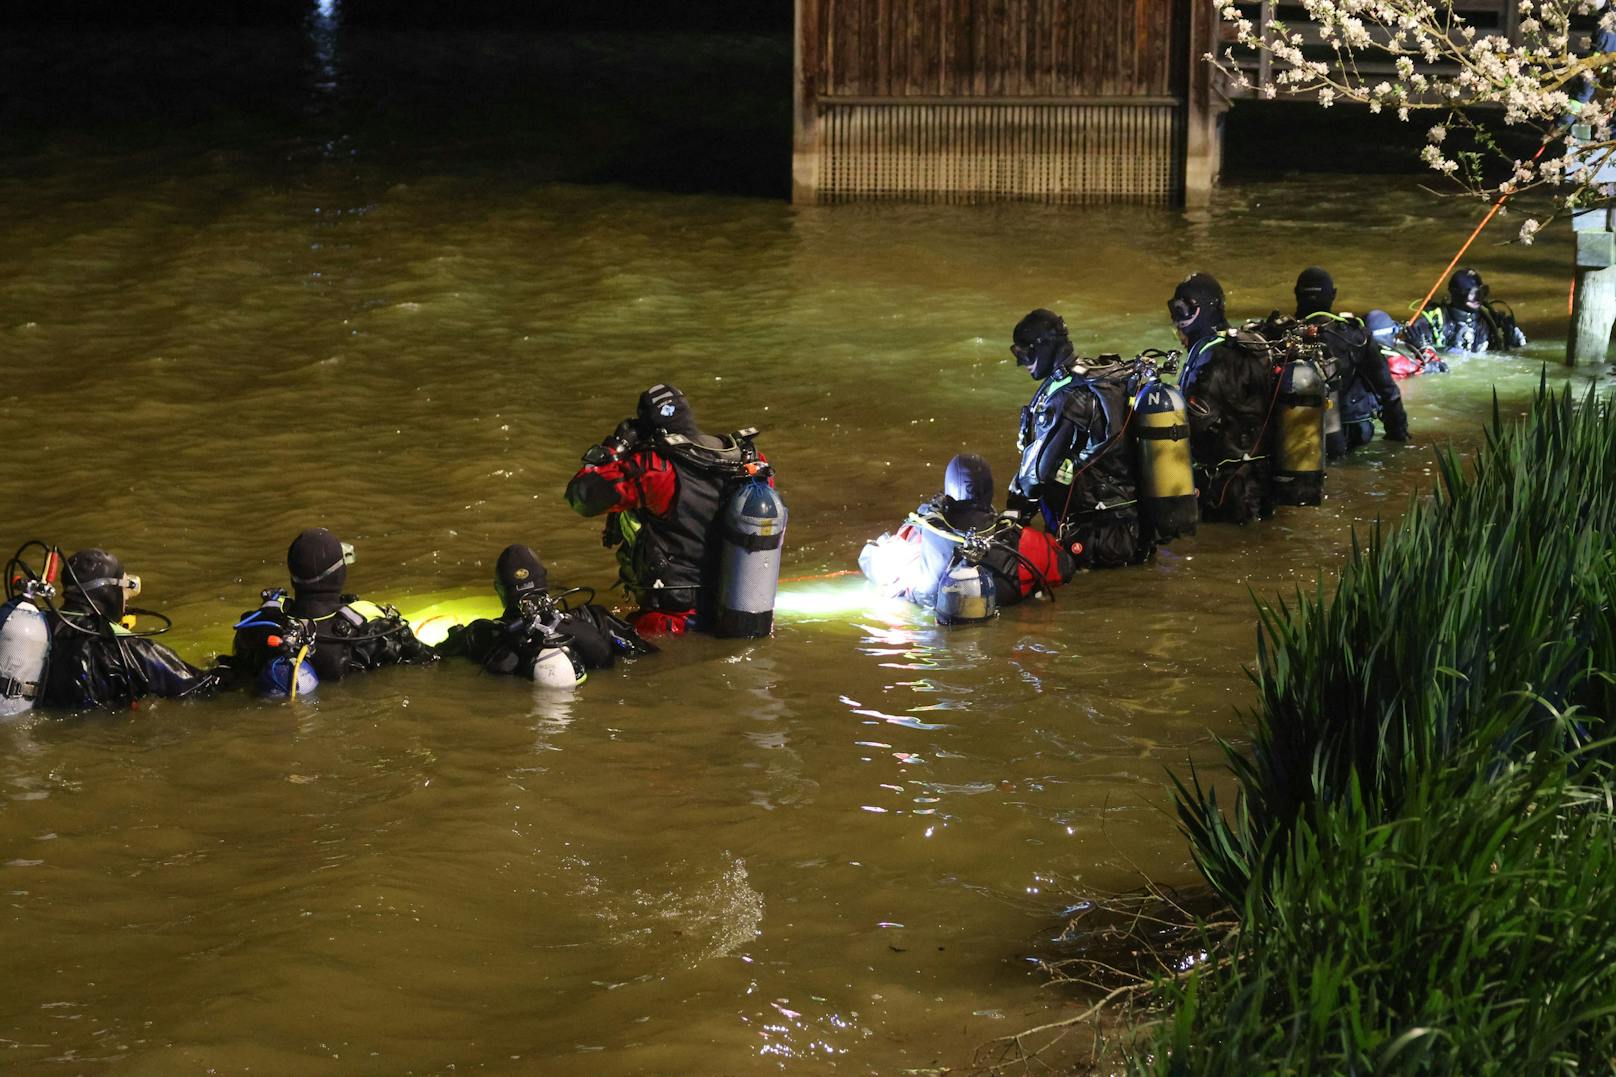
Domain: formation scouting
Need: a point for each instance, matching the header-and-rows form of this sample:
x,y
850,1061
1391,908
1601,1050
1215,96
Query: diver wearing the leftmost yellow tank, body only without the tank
x,y
1079,470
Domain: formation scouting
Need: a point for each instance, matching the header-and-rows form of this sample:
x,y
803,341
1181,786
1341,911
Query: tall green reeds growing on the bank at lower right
x,y
1420,856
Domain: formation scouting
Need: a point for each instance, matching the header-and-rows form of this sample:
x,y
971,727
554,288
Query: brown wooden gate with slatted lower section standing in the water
x,y
1054,101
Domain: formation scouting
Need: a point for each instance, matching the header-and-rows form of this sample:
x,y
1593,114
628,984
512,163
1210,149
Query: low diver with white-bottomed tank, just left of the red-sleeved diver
x,y
539,636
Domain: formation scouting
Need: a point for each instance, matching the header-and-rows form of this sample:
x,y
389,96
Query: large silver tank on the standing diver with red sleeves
x,y
751,567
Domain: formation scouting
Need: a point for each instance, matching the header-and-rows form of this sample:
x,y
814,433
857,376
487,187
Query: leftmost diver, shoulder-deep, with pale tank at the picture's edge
x,y
91,651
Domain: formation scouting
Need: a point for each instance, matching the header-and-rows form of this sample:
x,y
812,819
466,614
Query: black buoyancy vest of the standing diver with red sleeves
x,y
671,564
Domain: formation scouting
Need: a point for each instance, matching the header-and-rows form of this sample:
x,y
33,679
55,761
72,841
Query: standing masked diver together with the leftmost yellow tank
x,y
1108,492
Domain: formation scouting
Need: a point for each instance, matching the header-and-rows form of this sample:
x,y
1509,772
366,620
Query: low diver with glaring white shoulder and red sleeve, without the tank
x,y
961,525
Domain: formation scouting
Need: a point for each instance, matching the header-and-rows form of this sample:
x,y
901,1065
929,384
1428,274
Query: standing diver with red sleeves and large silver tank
x,y
696,520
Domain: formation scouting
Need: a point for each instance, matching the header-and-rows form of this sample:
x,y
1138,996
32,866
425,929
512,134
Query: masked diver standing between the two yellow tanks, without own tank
x,y
1231,389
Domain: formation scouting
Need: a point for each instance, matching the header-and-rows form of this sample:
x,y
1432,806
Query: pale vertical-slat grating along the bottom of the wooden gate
x,y
974,153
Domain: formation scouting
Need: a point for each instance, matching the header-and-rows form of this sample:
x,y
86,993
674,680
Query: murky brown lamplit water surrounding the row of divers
x,y
835,850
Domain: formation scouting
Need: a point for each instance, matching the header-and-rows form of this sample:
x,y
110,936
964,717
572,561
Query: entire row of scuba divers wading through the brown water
x,y
1113,458
